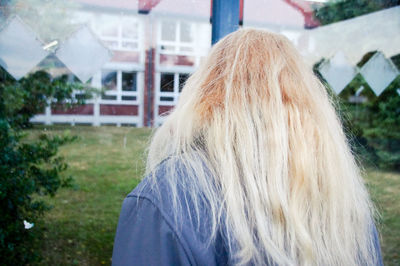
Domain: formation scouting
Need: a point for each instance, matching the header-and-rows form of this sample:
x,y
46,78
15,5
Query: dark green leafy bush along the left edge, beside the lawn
x,y
28,168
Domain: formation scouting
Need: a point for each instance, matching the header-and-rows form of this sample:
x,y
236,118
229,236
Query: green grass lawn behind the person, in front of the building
x,y
108,162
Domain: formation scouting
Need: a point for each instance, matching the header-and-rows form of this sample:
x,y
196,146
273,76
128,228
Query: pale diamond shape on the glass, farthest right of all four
x,y
379,72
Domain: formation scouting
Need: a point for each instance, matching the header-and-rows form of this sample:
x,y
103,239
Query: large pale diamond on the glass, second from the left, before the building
x,y
83,54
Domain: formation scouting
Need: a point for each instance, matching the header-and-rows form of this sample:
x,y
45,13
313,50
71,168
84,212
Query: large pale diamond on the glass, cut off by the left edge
x,y
20,50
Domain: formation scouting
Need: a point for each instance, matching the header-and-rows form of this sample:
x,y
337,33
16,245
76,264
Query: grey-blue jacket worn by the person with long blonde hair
x,y
147,233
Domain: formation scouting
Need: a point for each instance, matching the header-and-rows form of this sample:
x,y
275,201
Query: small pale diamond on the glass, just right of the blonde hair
x,y
338,72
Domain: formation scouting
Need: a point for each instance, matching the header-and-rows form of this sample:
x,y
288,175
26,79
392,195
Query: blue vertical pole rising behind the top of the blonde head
x,y
225,18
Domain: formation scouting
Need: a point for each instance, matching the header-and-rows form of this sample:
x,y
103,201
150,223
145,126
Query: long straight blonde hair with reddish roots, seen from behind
x,y
265,149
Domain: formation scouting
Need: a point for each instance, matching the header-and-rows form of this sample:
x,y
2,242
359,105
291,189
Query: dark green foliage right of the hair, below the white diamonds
x,y
373,126
